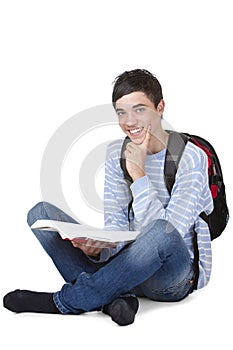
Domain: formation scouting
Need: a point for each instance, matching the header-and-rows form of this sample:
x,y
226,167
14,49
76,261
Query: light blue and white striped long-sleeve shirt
x,y
151,201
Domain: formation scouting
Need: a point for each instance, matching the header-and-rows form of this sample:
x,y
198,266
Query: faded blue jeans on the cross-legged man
x,y
156,265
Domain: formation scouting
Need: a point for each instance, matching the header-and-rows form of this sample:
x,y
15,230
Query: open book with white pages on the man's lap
x,y
72,231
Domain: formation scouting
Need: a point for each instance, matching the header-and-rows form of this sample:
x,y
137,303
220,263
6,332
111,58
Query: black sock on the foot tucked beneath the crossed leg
x,y
122,310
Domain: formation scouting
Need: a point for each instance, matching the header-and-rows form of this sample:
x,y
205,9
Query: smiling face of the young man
x,y
135,113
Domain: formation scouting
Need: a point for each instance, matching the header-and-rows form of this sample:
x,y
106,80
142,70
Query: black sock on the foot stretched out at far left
x,y
28,301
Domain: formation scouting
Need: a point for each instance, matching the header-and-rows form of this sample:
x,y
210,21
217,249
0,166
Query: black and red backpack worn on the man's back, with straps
x,y
218,219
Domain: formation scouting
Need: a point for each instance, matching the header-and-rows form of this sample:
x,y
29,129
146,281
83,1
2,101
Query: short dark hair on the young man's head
x,y
137,80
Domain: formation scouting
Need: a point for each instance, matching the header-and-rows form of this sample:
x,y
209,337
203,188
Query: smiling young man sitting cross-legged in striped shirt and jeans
x,y
159,263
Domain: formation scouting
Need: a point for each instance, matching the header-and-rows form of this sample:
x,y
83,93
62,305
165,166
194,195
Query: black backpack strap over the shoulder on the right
x,y
176,144
